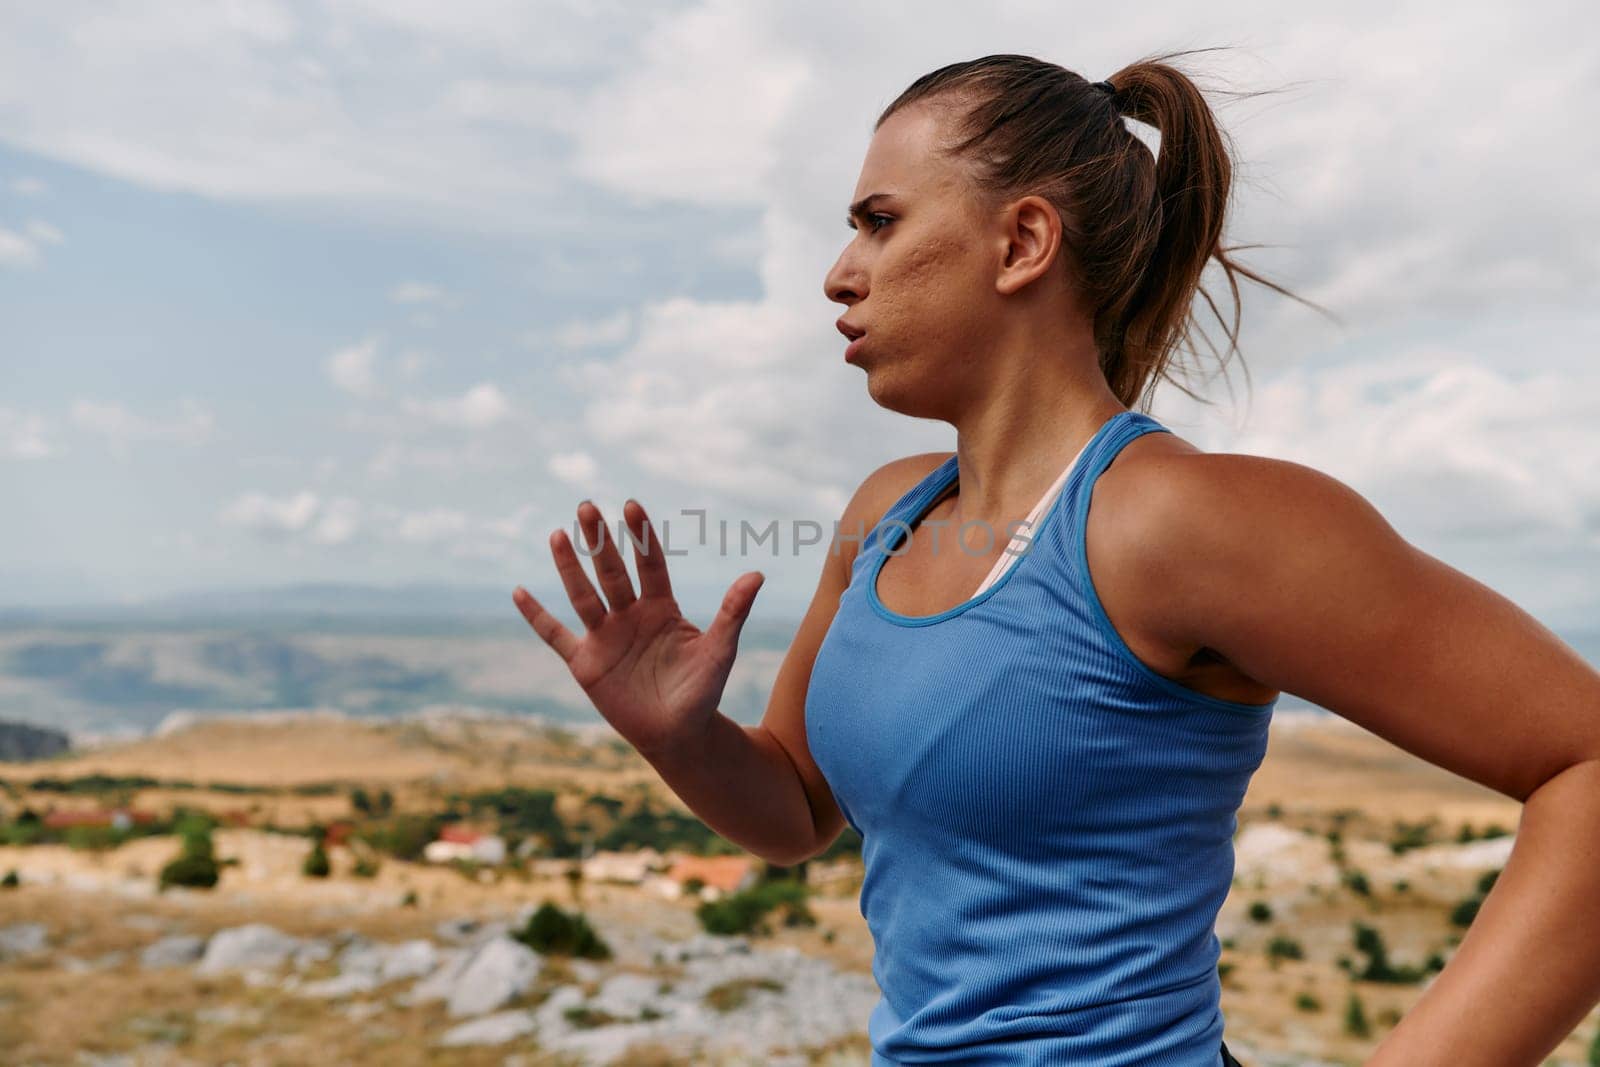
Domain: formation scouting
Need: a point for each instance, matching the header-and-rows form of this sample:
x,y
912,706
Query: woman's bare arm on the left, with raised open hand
x,y
756,786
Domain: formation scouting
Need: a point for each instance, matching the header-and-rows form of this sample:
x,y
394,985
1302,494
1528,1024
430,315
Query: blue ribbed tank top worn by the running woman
x,y
1047,823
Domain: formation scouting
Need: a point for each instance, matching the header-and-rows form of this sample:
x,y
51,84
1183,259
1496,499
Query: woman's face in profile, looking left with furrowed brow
x,y
919,273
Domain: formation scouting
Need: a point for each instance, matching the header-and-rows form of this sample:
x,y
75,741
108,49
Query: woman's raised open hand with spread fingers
x,y
652,674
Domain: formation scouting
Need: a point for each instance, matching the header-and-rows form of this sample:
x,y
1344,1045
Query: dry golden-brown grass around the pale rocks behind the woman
x,y
90,996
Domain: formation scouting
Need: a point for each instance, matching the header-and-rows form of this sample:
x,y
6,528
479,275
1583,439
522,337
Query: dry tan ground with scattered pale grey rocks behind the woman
x,y
417,964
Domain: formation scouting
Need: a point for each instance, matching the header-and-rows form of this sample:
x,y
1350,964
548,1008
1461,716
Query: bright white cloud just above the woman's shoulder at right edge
x,y
1446,447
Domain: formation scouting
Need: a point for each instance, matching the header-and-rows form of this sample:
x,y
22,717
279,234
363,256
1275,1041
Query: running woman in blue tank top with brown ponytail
x,y
1046,751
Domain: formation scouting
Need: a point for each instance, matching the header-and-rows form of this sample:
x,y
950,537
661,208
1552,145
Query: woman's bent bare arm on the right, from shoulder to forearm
x,y
1302,585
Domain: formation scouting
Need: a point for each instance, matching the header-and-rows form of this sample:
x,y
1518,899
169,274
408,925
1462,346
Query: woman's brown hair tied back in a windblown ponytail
x,y
1137,231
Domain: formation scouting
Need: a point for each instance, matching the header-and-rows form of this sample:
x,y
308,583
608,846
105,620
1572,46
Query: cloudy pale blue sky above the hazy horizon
x,y
378,292
